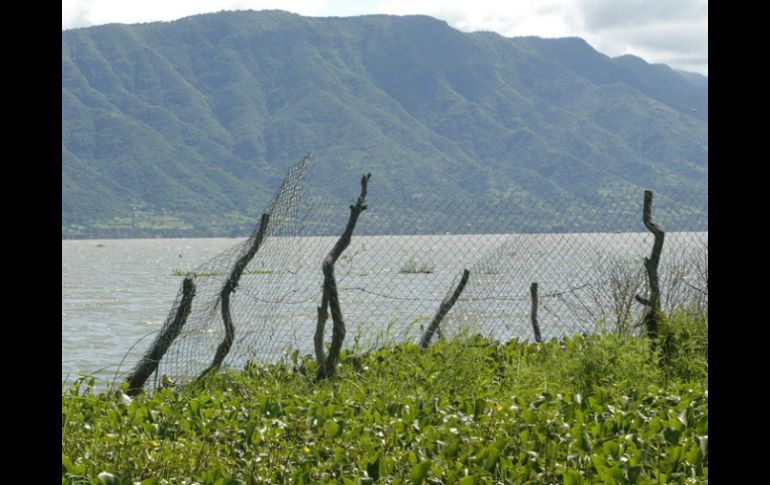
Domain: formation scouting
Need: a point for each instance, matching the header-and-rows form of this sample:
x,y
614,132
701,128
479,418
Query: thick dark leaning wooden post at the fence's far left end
x,y
160,346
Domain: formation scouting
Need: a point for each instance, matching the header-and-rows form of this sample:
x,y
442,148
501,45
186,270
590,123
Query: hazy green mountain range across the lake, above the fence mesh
x,y
187,127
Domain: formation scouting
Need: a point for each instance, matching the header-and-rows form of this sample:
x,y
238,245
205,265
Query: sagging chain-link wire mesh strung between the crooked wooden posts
x,y
405,260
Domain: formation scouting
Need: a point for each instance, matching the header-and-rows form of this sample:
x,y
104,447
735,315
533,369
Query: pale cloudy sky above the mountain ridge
x,y
659,31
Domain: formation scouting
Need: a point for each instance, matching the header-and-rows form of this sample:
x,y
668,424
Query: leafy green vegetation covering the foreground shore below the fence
x,y
599,409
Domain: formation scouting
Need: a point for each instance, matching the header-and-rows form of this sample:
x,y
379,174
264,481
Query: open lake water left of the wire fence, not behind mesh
x,y
116,291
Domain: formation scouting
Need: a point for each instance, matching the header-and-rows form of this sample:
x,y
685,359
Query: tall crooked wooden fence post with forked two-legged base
x,y
330,299
